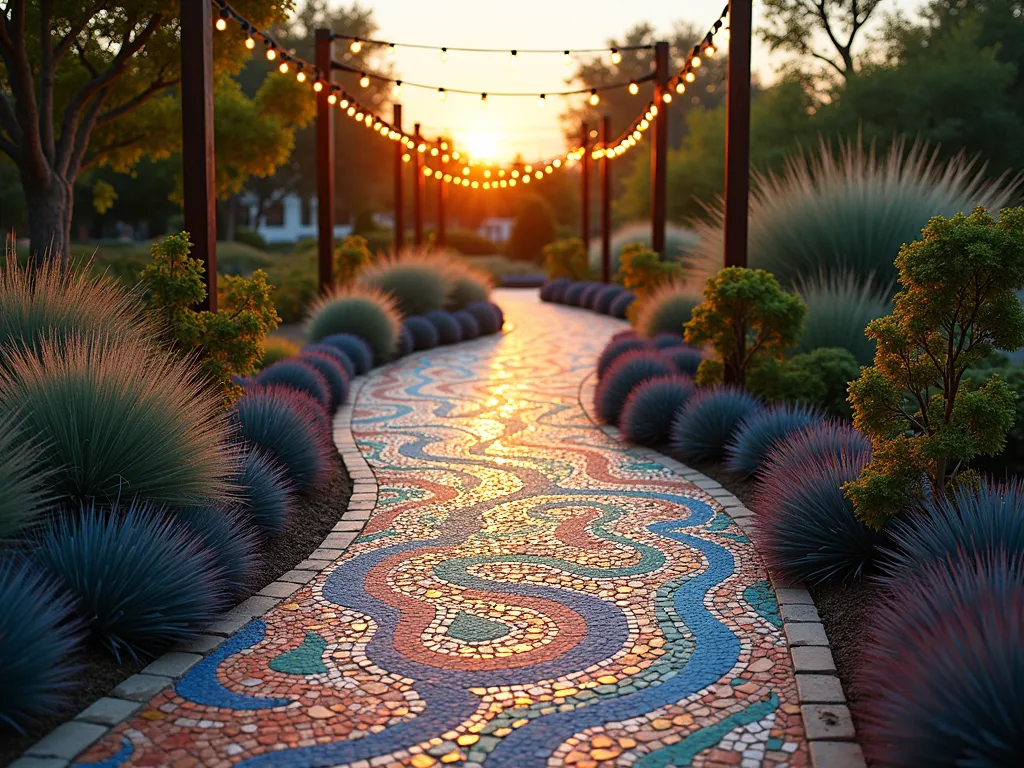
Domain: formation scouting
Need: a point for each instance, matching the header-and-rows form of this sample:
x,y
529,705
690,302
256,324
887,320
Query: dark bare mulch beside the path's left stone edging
x,y
100,674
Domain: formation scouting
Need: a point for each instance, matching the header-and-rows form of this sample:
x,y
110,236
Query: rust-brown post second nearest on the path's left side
x,y
325,163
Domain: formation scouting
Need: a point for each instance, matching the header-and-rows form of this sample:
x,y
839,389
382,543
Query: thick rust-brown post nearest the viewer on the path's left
x,y
198,188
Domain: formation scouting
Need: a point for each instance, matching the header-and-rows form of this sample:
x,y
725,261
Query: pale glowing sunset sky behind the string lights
x,y
510,126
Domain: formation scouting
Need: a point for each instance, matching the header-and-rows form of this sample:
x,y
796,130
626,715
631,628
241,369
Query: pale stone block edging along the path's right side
x,y
831,736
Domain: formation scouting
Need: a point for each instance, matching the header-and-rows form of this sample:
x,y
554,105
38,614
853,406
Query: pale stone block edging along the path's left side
x,y
65,743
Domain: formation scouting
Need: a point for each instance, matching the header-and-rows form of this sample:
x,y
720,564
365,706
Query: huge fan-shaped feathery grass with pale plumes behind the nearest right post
x,y
849,212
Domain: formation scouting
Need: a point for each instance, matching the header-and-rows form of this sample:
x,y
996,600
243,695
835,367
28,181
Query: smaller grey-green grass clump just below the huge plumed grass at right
x,y
839,309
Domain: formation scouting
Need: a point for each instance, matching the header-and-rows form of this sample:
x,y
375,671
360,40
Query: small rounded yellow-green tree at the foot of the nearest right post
x,y
746,317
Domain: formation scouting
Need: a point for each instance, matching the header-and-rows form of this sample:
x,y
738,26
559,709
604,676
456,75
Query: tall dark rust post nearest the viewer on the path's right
x,y
738,134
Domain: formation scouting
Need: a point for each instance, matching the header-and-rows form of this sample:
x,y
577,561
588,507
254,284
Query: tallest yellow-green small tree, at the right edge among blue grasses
x,y
958,305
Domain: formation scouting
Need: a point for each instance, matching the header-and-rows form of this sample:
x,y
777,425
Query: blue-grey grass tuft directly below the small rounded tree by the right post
x,y
702,429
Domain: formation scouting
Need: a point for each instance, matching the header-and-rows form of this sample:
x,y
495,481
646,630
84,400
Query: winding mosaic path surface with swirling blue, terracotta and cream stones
x,y
528,593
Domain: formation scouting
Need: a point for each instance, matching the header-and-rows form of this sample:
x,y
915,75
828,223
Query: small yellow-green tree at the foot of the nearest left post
x,y
229,343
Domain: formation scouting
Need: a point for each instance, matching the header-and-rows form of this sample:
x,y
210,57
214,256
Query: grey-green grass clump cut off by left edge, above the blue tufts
x,y
24,498
